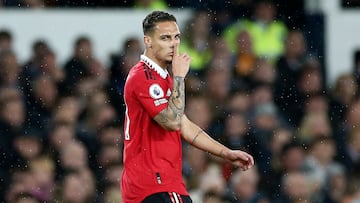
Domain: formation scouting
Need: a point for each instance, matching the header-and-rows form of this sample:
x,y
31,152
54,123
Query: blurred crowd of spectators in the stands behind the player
x,y
253,85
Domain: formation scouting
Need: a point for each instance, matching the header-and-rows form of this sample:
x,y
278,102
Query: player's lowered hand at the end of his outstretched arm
x,y
239,158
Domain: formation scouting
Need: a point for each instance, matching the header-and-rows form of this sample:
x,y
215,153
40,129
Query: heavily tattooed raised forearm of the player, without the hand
x,y
170,117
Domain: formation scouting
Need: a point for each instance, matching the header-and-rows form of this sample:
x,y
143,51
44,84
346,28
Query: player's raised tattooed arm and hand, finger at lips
x,y
170,117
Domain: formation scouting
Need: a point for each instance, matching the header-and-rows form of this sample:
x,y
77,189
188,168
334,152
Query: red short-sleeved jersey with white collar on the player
x,y
152,155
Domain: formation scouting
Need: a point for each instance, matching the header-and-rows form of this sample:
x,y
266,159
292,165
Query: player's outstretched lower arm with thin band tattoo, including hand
x,y
197,137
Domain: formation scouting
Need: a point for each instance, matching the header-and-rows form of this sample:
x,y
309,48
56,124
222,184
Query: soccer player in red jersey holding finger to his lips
x,y
155,122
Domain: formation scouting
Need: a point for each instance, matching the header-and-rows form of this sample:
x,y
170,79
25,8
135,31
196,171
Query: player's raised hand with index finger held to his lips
x,y
180,62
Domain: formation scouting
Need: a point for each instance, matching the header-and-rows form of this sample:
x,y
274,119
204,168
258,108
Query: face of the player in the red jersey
x,y
162,42
